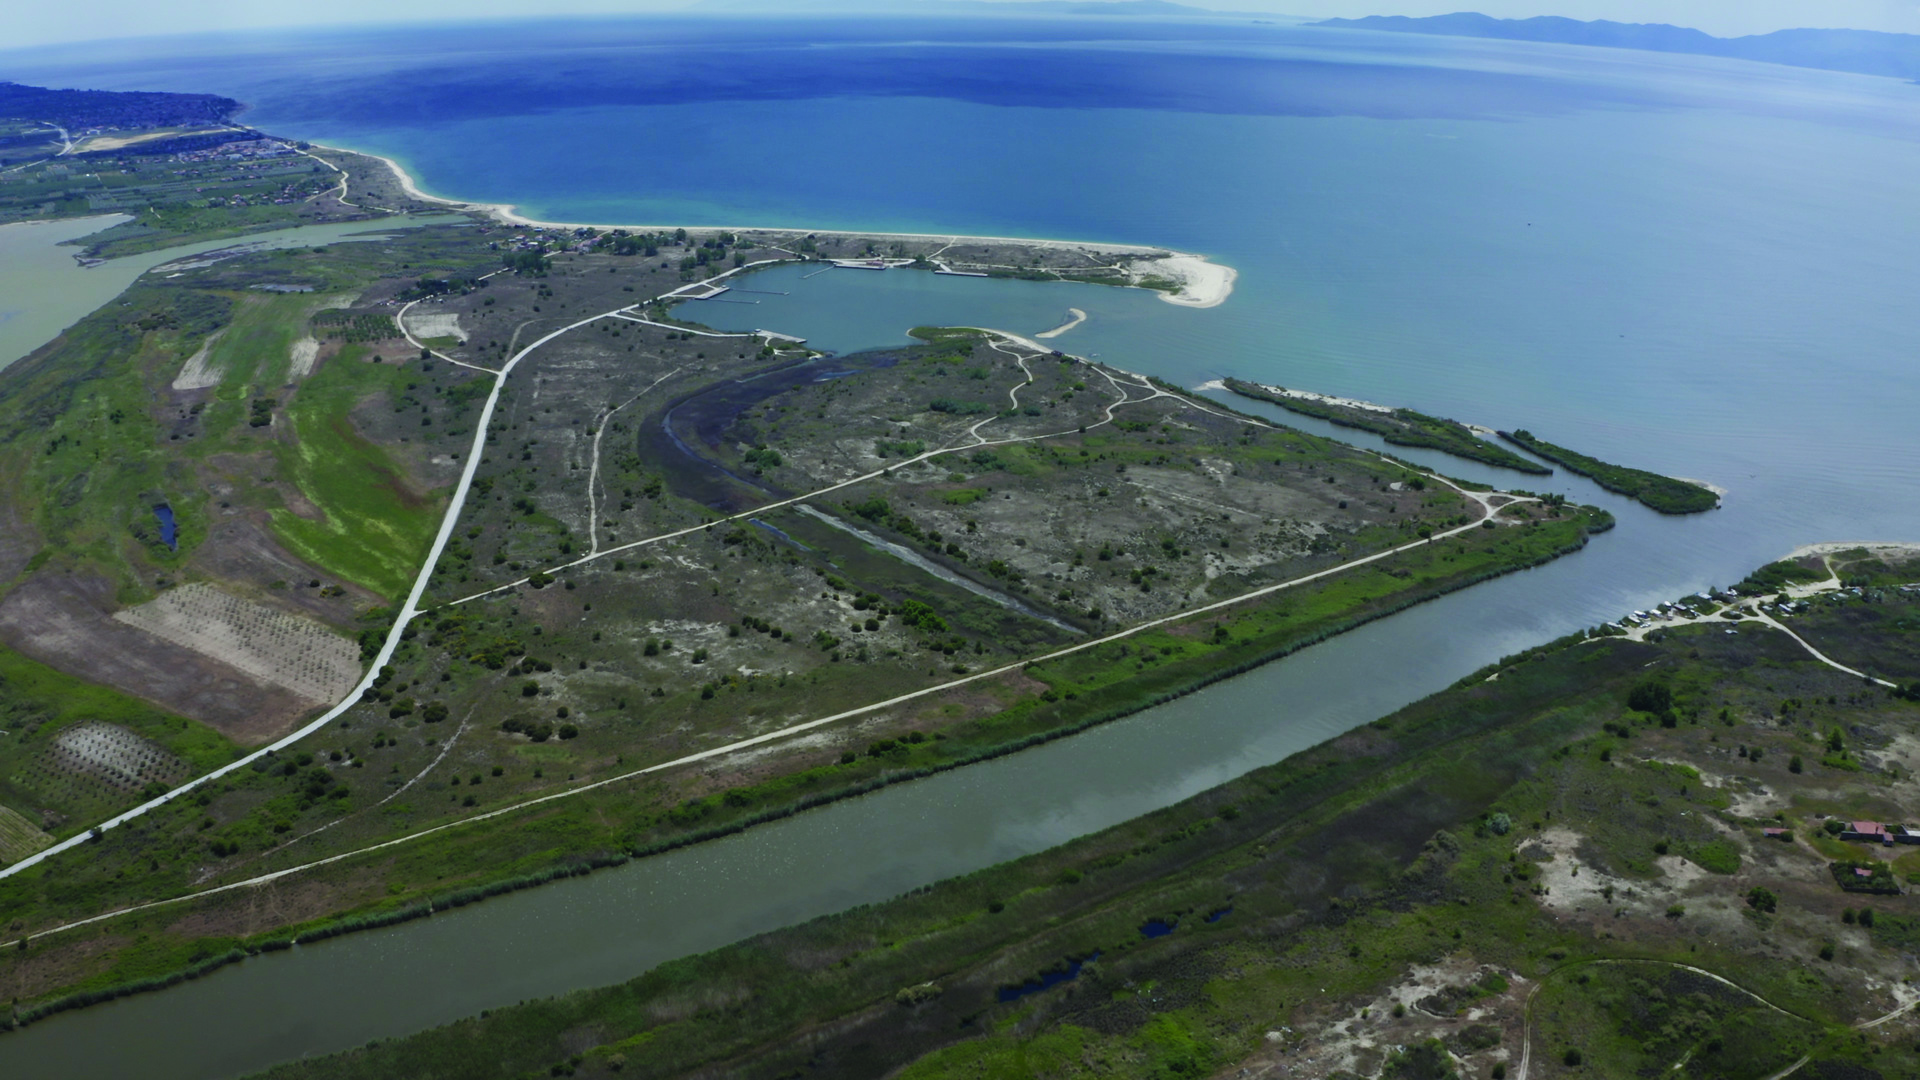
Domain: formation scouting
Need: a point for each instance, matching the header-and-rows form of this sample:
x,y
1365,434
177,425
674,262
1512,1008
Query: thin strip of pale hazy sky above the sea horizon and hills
x,y
30,22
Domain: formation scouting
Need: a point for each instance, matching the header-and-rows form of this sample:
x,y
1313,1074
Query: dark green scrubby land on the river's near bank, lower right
x,y
1552,845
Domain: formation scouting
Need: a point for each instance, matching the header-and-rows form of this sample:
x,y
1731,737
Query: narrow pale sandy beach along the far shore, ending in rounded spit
x,y
1203,283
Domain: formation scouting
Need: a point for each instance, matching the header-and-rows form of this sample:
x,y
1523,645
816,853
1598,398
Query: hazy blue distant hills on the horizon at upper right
x,y
1865,53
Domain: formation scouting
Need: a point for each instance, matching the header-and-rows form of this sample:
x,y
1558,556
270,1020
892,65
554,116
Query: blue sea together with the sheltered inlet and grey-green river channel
x,y
1683,264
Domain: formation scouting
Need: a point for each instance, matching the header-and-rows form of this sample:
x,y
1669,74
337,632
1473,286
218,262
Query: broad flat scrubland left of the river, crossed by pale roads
x,y
481,514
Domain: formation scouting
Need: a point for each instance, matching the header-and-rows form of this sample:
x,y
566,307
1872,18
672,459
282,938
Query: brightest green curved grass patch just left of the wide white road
x,y
375,524
